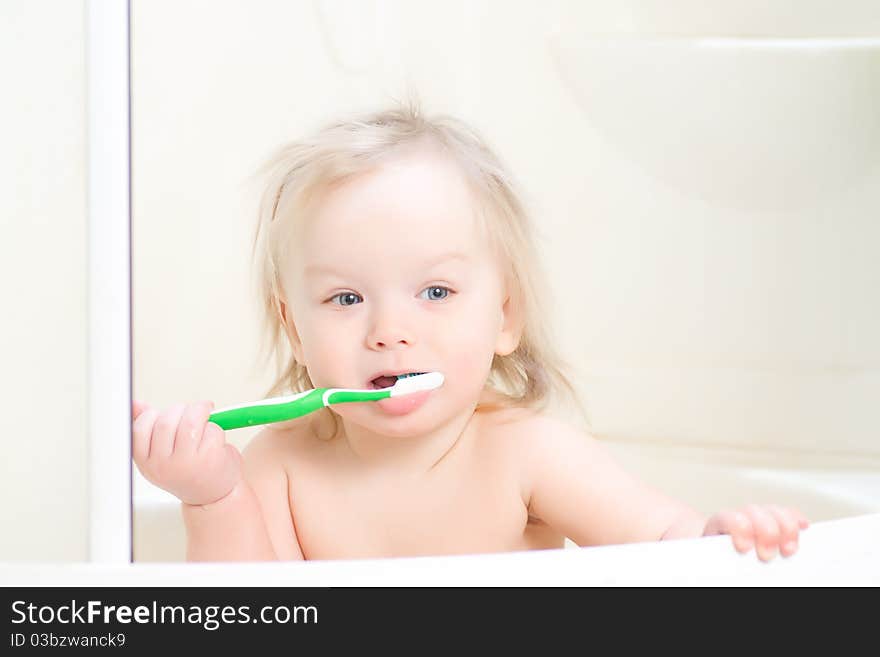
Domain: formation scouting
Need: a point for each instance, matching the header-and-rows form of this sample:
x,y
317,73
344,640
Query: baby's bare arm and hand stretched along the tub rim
x,y
575,485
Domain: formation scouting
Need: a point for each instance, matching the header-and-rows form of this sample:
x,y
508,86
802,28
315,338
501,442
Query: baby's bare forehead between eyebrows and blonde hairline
x,y
417,204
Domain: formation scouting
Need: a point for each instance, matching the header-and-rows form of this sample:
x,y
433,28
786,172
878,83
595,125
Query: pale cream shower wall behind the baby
x,y
711,264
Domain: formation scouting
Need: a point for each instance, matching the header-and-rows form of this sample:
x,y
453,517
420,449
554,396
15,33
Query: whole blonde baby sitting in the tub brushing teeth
x,y
396,244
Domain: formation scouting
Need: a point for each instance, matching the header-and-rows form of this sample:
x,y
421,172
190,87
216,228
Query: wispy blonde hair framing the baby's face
x,y
532,375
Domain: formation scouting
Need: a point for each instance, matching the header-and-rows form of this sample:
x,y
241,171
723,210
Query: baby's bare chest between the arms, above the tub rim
x,y
441,515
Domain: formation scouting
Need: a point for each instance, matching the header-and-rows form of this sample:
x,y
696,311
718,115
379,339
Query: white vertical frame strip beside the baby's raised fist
x,y
107,66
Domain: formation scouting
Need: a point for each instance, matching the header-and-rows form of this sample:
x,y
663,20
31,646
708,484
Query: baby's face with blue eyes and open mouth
x,y
391,273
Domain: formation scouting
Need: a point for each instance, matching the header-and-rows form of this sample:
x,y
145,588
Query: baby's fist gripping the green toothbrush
x,y
180,451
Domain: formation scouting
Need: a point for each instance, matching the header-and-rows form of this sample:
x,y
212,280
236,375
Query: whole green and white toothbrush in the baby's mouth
x,y
278,409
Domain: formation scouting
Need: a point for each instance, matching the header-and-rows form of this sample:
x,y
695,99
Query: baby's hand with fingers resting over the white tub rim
x,y
767,528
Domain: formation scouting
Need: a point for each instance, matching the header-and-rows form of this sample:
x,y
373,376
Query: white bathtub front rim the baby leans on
x,y
832,553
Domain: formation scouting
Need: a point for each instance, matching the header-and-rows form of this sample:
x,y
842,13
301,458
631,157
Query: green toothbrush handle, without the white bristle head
x,y
251,415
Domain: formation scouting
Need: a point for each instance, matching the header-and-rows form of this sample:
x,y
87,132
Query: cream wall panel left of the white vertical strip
x,y
43,266
